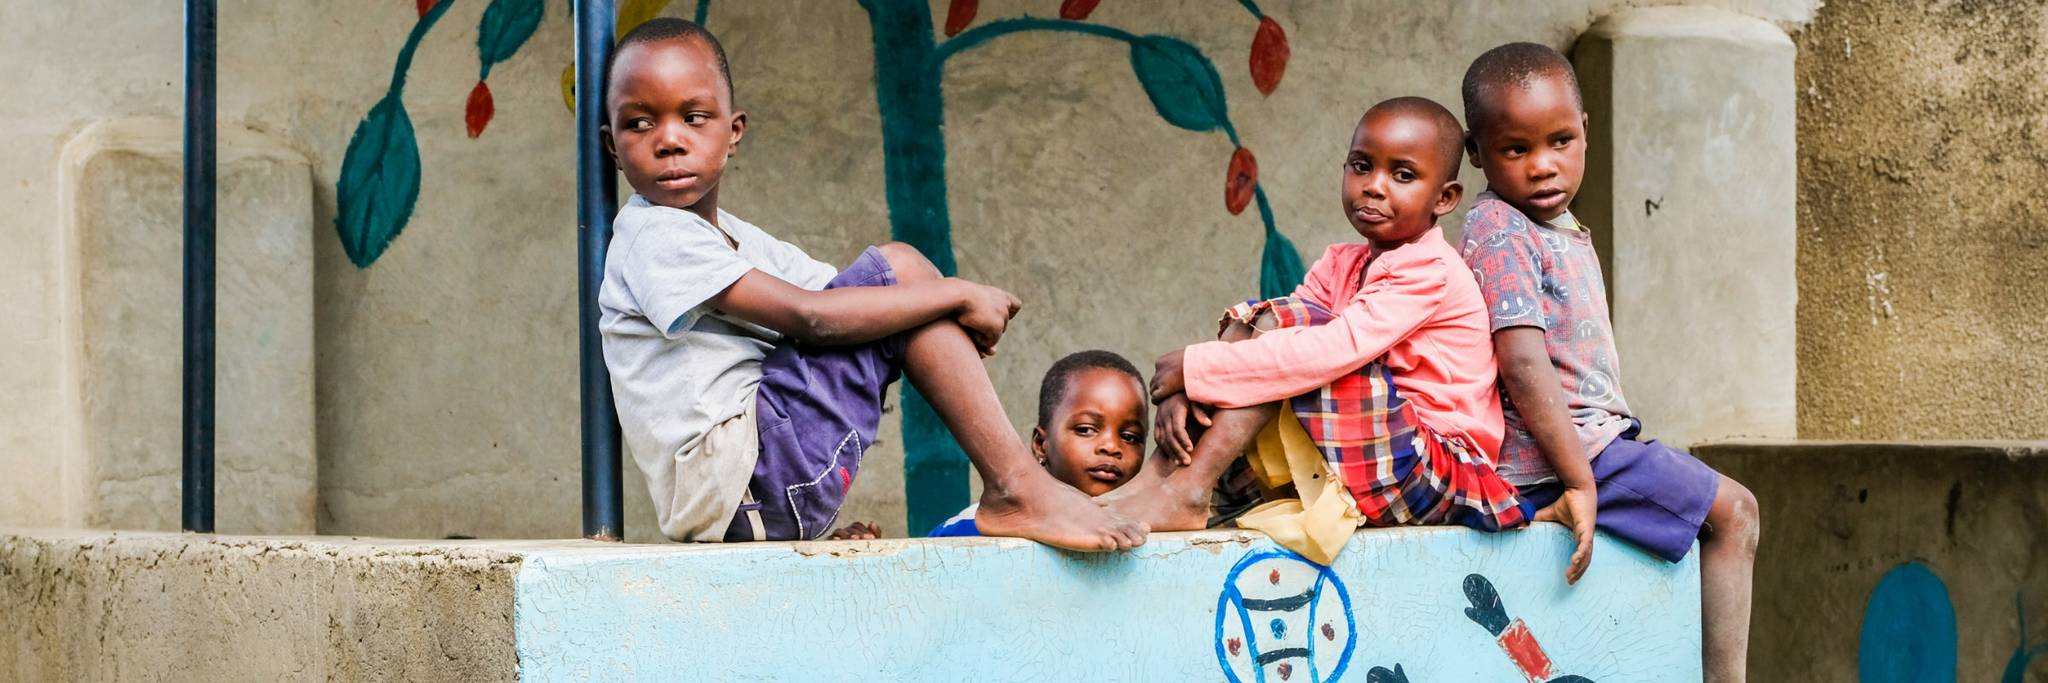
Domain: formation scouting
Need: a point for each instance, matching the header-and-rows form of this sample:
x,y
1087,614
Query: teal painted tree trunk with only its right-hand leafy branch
x,y
910,69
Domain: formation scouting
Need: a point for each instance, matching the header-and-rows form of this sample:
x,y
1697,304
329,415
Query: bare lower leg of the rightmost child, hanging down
x,y
1727,559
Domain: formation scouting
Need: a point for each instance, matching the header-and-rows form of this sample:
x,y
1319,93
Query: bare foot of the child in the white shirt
x,y
1054,514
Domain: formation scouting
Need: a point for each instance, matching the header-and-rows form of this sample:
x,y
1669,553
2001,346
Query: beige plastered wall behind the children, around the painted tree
x,y
445,372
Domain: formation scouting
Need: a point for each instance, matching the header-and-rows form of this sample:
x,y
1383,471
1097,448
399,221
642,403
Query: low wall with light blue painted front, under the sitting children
x,y
1187,606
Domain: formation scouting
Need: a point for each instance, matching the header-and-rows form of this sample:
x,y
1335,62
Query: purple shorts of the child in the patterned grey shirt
x,y
1650,495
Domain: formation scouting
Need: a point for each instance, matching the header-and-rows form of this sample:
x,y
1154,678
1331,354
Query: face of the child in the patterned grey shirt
x,y
1535,149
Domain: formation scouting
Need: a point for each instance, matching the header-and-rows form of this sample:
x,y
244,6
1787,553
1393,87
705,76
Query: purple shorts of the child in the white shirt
x,y
818,411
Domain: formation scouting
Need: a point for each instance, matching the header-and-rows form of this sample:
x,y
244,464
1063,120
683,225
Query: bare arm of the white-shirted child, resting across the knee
x,y
861,315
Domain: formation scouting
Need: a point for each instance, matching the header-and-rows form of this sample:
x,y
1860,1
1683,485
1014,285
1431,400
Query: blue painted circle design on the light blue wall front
x,y
1310,631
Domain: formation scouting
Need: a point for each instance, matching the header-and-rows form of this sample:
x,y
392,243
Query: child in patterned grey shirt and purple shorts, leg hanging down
x,y
1572,442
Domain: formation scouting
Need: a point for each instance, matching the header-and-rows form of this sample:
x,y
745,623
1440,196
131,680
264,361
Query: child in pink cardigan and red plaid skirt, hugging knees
x,y
1381,356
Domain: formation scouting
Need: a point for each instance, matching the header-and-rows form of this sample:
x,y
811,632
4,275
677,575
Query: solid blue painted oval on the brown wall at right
x,y
1910,631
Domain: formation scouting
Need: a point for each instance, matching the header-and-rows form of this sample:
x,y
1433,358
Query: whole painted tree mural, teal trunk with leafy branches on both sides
x,y
380,177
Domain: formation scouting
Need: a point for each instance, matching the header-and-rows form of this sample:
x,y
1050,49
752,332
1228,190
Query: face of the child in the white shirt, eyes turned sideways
x,y
673,124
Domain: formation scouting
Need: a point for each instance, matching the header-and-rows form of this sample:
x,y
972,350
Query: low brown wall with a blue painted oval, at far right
x,y
1918,561
